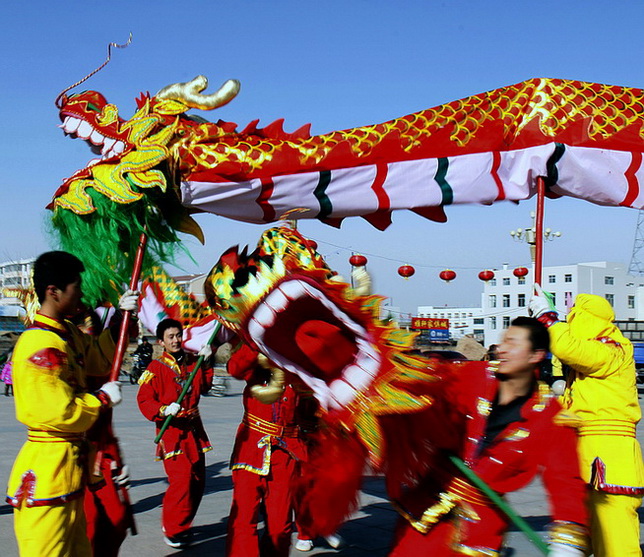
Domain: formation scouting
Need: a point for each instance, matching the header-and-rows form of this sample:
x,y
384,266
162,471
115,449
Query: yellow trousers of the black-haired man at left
x,y
56,531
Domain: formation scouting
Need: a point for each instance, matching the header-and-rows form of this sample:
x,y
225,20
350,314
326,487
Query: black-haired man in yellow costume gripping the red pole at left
x,y
51,360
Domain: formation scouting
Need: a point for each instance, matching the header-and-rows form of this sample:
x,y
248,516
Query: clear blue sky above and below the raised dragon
x,y
336,64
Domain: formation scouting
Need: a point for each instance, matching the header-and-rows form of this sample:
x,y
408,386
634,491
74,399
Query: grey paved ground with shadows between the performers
x,y
367,533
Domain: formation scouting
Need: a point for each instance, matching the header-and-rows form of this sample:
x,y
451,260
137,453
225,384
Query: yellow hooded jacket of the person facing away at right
x,y
602,393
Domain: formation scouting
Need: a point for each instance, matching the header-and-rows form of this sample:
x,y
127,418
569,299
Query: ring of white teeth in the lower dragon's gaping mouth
x,y
356,376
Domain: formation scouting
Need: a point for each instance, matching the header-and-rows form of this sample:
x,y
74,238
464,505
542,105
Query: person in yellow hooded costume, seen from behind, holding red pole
x,y
601,392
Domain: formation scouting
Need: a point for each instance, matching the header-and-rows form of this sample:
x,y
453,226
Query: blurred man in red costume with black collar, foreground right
x,y
512,433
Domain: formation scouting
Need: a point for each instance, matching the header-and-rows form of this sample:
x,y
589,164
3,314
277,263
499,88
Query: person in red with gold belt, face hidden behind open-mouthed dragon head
x,y
264,461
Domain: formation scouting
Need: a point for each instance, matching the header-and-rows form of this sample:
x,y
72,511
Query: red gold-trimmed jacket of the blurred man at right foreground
x,y
539,443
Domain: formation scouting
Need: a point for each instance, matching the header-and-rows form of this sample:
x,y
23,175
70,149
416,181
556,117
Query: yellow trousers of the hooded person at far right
x,y
615,525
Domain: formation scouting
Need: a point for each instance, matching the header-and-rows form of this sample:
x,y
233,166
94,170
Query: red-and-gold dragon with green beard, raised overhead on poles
x,y
161,165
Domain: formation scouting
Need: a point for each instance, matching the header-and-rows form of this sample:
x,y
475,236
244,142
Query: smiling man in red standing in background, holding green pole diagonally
x,y
184,443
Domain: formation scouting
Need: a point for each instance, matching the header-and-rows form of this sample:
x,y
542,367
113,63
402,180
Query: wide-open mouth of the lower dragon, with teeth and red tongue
x,y
304,332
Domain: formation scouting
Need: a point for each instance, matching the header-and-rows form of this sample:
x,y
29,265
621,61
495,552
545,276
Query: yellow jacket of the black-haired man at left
x,y
50,361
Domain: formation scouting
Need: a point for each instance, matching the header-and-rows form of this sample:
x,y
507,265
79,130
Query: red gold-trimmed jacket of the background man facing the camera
x,y
160,385
